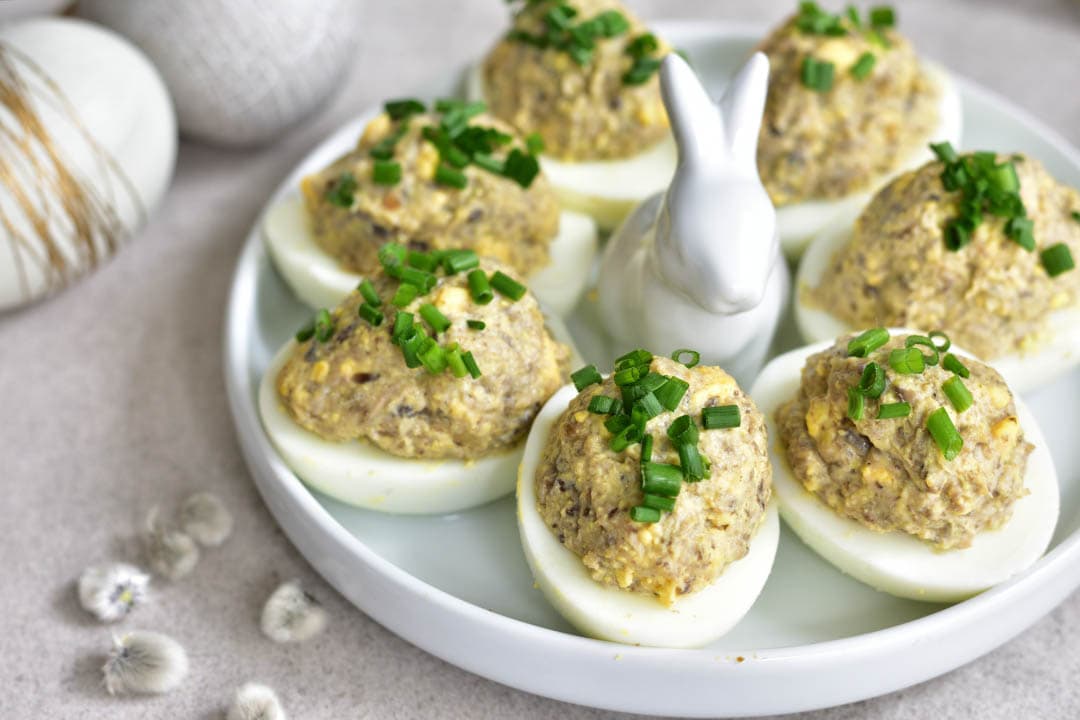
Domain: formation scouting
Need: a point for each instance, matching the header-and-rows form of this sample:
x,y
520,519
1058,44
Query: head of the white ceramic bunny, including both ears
x,y
717,234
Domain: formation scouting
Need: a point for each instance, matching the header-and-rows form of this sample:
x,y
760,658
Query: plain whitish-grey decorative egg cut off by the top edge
x,y
240,72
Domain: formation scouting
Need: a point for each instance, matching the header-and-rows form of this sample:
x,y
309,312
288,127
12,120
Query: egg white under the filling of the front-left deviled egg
x,y
360,474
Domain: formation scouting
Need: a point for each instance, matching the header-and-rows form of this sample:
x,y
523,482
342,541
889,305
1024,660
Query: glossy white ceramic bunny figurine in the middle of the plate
x,y
699,267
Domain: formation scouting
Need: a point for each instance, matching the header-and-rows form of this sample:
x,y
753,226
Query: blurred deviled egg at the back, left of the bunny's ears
x,y
582,75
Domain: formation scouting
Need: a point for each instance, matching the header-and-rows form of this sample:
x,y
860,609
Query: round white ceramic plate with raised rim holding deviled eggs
x,y
458,586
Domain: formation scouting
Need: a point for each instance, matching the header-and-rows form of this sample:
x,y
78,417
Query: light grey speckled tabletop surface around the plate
x,y
112,400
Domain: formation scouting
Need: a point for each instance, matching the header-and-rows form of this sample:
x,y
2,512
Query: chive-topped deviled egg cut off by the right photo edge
x,y
979,246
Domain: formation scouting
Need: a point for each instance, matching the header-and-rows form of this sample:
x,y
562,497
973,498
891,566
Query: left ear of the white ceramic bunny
x,y
696,123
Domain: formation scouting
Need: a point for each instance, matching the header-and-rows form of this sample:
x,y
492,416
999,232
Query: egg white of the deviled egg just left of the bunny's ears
x,y
607,191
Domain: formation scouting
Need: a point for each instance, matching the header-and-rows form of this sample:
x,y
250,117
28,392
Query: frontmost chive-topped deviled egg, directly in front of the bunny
x,y
644,502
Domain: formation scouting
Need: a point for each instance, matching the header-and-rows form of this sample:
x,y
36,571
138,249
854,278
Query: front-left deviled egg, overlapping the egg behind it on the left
x,y
401,453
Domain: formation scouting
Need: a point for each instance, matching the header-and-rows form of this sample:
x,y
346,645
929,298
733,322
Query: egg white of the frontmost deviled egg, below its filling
x,y
611,614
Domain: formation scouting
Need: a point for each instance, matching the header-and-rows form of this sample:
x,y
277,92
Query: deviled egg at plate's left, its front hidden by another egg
x,y
449,179
